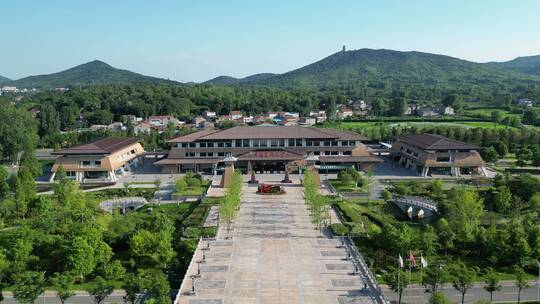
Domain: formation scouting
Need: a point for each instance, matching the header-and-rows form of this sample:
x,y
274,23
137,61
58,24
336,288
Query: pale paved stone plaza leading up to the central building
x,y
275,256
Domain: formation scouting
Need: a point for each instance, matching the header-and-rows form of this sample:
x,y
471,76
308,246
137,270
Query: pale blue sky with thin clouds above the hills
x,y
201,39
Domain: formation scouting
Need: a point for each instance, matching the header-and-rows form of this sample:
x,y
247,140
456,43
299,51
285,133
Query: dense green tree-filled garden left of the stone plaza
x,y
65,242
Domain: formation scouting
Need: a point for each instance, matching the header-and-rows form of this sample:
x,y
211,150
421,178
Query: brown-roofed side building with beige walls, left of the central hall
x,y
101,160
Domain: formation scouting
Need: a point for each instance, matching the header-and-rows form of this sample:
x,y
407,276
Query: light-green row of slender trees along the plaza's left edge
x,y
230,203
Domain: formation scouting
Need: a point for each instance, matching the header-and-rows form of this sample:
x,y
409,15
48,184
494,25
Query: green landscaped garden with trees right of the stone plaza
x,y
479,226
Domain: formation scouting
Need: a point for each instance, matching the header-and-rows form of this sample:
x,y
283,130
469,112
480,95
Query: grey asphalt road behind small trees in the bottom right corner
x,y
508,293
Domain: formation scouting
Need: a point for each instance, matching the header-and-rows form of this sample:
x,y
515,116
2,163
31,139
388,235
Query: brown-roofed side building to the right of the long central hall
x,y
429,154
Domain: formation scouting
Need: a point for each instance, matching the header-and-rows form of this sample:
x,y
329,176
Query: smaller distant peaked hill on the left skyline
x,y
92,73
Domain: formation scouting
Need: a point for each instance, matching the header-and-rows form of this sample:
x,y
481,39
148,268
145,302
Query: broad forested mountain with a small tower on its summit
x,y
388,68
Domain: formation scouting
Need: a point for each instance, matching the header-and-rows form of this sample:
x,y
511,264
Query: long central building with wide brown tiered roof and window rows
x,y
267,149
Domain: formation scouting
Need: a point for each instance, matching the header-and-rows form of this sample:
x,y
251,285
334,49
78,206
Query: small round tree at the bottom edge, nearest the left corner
x,y
28,286
